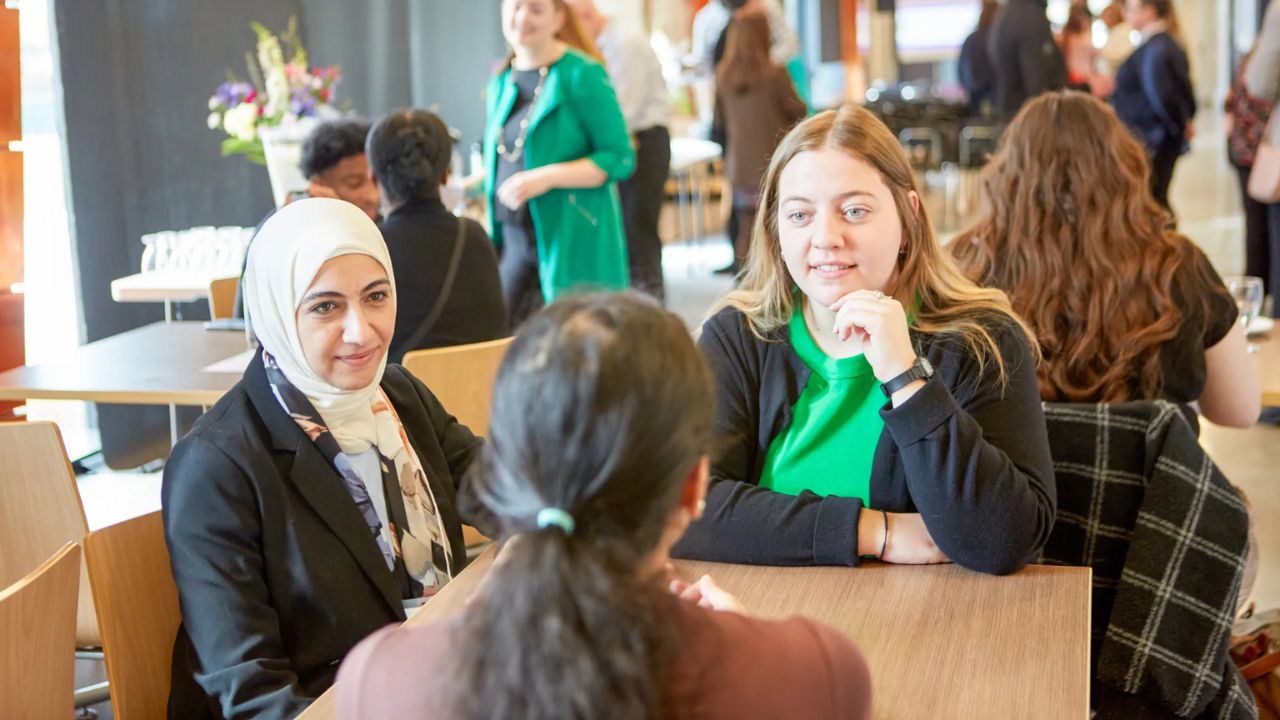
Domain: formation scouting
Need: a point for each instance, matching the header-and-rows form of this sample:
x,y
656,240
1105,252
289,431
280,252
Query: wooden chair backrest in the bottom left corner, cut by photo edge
x,y
38,640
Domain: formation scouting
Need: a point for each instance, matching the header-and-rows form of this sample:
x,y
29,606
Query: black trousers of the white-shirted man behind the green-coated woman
x,y
642,198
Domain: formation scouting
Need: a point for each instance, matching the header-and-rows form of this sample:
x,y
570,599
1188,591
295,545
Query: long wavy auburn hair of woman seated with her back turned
x,y
1072,234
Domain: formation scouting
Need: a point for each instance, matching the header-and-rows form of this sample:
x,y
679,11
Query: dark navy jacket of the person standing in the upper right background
x,y
1154,93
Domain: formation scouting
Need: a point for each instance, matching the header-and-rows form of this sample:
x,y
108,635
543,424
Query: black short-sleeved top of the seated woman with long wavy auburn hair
x,y
1208,317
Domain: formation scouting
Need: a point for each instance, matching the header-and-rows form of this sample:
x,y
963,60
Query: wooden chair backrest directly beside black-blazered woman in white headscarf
x,y
138,610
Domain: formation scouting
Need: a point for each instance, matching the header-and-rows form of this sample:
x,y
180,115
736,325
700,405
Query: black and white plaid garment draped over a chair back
x,y
1165,534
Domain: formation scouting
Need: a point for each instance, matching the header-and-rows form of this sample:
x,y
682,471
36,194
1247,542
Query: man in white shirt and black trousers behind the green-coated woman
x,y
637,75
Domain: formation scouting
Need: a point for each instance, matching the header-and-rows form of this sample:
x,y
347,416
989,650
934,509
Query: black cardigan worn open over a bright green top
x,y
970,455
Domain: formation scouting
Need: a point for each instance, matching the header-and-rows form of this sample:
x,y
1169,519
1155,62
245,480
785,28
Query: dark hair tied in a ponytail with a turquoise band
x,y
602,409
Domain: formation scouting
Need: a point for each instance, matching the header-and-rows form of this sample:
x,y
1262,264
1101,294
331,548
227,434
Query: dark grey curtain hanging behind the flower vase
x,y
138,76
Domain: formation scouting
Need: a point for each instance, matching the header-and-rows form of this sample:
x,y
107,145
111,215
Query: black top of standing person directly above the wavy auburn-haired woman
x,y
1025,54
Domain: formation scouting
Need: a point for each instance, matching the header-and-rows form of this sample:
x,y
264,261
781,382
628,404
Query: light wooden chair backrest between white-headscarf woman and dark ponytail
x,y
461,377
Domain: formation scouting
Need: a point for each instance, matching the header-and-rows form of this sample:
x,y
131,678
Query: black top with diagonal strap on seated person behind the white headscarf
x,y
420,239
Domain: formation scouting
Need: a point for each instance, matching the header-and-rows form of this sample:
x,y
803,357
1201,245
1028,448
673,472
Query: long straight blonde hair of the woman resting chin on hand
x,y
944,302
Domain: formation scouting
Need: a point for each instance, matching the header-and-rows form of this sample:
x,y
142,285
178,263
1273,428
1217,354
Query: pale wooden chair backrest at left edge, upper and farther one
x,y
40,511
